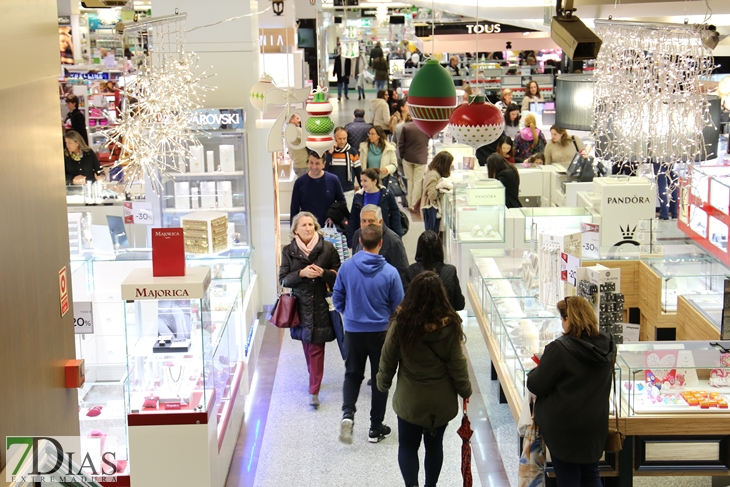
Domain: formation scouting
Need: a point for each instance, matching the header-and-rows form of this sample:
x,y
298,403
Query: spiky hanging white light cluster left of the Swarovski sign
x,y
155,128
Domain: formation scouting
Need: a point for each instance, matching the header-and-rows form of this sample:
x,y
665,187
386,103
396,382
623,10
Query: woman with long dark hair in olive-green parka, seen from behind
x,y
424,344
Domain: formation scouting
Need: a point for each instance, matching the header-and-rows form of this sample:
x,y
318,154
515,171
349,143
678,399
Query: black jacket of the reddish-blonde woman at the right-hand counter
x,y
572,385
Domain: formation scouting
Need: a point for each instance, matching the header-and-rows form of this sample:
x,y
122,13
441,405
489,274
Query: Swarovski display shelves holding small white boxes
x,y
213,178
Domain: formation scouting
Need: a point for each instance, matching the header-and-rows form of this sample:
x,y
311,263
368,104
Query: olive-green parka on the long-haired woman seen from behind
x,y
429,380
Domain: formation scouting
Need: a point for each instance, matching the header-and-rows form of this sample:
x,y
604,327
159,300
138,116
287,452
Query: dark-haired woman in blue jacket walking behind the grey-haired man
x,y
372,193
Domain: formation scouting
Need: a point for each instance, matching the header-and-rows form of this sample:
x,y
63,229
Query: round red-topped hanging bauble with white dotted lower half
x,y
476,123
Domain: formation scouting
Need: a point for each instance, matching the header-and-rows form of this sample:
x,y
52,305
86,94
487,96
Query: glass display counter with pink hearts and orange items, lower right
x,y
678,377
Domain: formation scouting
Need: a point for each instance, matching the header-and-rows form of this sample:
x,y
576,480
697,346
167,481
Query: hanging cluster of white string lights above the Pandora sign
x,y
648,102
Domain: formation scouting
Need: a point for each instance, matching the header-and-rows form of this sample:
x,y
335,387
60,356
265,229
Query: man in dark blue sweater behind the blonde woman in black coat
x,y
315,191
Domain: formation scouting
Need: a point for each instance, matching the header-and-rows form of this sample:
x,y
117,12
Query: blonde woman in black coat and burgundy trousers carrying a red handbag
x,y
308,265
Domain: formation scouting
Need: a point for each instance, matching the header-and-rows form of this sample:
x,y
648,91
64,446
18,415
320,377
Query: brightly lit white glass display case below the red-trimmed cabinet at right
x,y
699,274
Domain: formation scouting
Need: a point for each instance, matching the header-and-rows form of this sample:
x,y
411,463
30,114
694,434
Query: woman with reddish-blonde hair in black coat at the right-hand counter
x,y
572,385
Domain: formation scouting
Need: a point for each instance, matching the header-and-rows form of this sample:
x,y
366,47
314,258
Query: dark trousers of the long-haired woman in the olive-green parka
x,y
409,441
